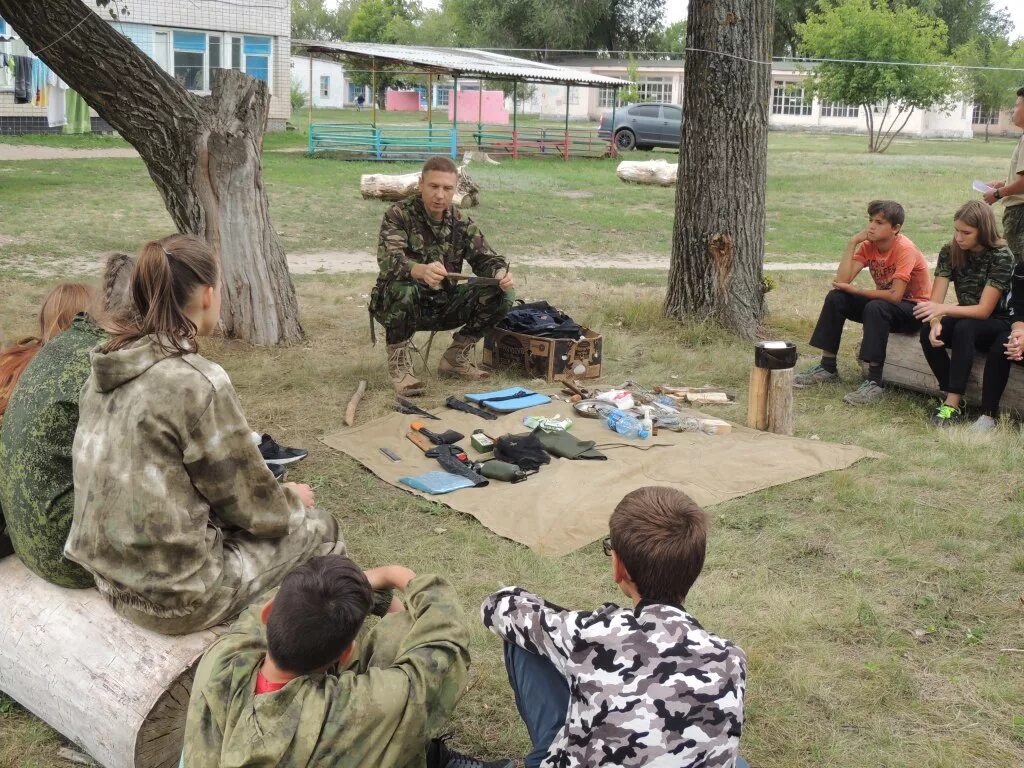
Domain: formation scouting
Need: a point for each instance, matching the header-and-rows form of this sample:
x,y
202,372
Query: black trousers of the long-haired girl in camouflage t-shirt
x,y
962,336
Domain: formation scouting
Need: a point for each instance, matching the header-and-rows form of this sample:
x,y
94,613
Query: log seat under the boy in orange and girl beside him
x,y
907,367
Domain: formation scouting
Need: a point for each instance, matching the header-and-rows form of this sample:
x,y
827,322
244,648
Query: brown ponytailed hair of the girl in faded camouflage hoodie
x,y
167,273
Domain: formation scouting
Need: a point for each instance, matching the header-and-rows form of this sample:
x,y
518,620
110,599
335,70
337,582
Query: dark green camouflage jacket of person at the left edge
x,y
37,491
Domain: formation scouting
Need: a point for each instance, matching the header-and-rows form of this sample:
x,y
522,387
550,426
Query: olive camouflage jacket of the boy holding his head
x,y
379,711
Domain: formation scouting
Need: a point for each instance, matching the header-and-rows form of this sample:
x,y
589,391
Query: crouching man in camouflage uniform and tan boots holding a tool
x,y
421,241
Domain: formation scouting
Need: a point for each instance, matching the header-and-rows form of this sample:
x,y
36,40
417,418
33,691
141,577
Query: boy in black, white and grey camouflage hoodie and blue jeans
x,y
643,687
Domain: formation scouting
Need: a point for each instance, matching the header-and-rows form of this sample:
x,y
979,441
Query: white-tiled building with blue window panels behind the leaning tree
x,y
190,40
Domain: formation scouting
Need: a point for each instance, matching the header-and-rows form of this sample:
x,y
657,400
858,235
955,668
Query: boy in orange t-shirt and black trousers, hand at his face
x,y
902,280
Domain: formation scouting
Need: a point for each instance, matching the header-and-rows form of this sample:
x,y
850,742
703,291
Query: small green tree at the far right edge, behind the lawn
x,y
993,90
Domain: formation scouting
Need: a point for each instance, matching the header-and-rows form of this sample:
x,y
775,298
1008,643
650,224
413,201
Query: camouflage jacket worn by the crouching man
x,y
409,236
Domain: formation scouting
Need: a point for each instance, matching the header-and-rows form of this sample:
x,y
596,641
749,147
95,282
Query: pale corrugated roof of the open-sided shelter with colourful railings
x,y
462,62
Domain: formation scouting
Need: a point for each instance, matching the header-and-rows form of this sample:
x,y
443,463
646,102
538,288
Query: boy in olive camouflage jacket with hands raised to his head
x,y
288,688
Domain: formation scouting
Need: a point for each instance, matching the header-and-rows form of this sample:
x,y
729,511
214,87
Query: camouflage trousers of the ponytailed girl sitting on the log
x,y
252,567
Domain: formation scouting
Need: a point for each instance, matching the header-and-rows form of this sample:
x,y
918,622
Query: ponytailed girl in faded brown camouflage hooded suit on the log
x,y
177,515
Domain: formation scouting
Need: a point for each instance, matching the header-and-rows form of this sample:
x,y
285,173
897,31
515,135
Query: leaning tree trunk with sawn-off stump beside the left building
x,y
202,152
